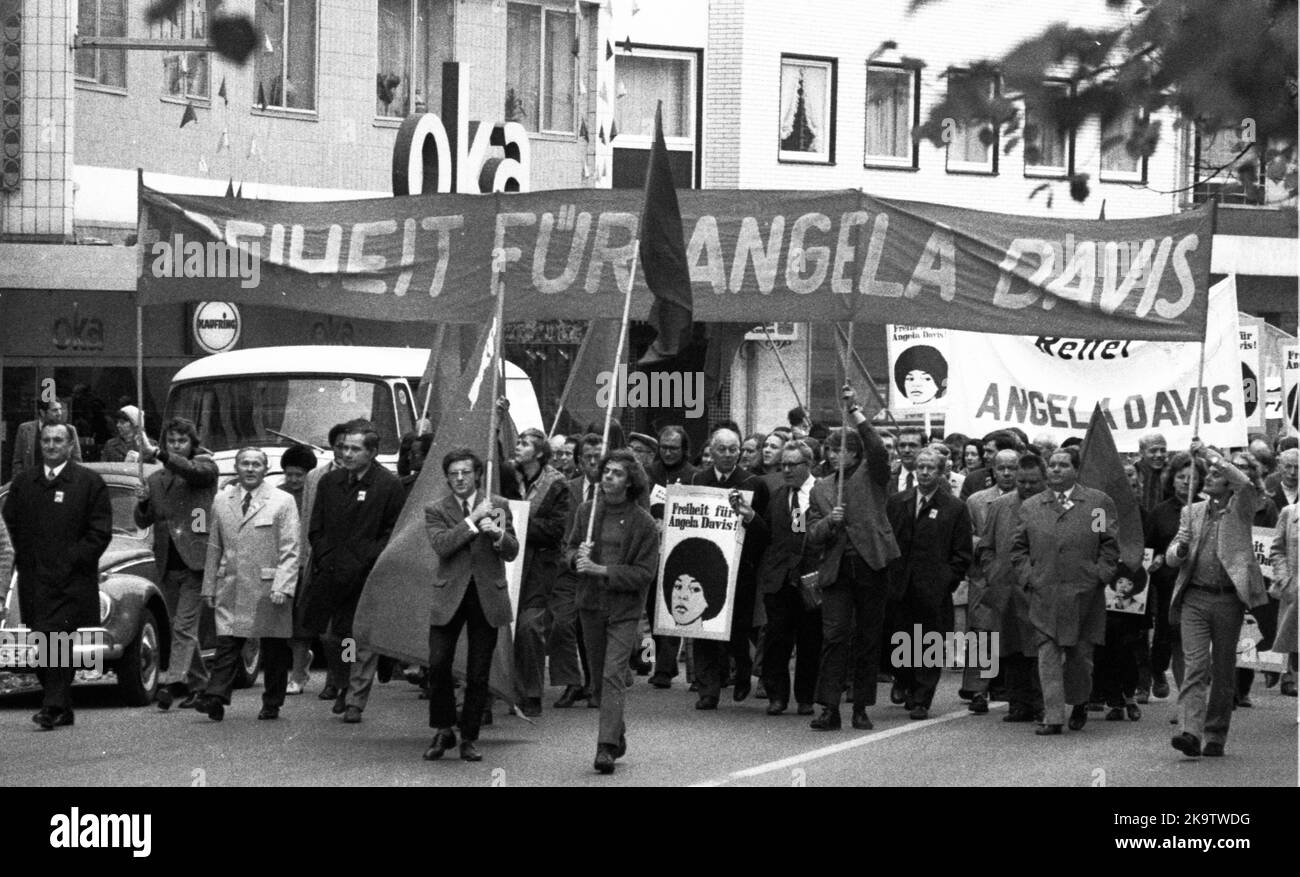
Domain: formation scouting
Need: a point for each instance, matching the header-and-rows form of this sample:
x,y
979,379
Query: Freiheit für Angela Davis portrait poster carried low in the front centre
x,y
699,561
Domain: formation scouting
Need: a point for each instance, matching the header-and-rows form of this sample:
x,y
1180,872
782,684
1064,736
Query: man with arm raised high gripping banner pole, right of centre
x,y
857,545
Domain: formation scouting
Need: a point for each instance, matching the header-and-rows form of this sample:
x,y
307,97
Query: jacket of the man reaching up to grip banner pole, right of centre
x,y
865,522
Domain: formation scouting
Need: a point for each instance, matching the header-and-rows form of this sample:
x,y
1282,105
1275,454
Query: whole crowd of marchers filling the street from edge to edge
x,y
853,536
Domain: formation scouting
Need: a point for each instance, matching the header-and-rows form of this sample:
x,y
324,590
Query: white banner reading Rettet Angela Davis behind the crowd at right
x,y
1051,384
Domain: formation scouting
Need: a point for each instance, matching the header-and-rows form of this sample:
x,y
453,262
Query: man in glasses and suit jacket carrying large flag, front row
x,y
474,539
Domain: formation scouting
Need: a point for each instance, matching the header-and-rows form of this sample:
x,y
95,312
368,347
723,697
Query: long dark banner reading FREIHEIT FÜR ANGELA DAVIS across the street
x,y
753,257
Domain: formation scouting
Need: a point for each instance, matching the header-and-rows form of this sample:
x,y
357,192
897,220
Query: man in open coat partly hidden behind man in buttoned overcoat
x,y
1004,601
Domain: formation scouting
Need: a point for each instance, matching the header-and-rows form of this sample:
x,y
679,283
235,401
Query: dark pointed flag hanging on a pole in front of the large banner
x,y
664,257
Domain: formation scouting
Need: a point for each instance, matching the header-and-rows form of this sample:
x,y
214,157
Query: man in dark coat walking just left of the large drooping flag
x,y
353,516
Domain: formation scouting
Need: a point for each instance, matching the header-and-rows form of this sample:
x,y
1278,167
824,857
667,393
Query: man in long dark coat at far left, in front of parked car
x,y
62,520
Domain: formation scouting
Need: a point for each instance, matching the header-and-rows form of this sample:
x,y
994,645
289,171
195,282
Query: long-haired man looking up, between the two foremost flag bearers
x,y
531,479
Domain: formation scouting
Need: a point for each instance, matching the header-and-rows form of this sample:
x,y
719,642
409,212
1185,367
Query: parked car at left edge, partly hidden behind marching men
x,y
133,639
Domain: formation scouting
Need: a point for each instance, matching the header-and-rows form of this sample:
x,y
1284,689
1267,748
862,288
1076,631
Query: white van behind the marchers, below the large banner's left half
x,y
272,397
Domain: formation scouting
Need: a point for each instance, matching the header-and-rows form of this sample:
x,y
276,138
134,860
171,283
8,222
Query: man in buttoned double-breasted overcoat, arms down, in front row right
x,y
1065,553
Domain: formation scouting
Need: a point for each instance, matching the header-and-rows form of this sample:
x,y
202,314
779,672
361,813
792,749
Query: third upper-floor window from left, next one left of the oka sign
x,y
287,60
